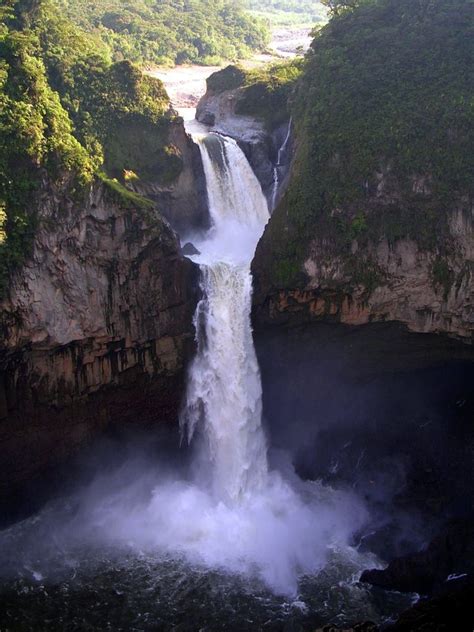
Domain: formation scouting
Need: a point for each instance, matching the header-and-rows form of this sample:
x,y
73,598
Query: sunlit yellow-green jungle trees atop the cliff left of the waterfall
x,y
67,112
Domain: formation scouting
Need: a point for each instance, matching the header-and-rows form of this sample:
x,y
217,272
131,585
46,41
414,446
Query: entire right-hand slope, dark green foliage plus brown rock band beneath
x,y
377,224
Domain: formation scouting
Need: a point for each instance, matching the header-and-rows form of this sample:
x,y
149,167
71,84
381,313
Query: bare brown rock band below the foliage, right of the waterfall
x,y
428,290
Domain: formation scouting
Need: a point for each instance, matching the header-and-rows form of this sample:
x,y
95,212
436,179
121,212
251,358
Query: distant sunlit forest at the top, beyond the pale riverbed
x,y
170,31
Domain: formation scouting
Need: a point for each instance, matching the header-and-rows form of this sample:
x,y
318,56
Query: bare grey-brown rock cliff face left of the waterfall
x,y
96,329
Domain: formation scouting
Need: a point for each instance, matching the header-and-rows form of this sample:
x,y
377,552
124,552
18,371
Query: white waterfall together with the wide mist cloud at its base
x,y
225,509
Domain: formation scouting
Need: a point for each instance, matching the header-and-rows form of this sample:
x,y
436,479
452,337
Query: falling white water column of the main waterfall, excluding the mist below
x,y
224,391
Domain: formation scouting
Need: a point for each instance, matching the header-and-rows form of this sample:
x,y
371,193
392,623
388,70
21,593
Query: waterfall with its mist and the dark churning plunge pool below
x,y
219,542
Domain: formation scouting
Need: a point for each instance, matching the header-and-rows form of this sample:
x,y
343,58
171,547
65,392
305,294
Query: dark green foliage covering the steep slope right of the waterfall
x,y
385,120
